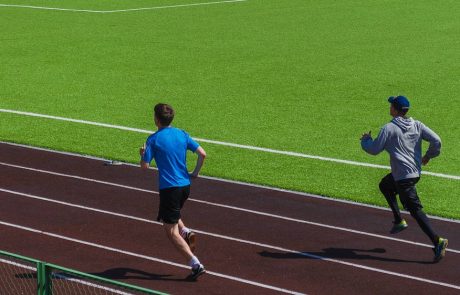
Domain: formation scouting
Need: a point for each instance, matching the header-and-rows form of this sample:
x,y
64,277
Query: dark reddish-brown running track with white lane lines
x,y
77,212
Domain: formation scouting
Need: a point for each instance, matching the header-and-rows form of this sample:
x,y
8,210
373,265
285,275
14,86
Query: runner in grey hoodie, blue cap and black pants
x,y
402,139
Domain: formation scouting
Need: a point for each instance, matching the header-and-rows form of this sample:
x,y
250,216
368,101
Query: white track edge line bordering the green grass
x,y
307,195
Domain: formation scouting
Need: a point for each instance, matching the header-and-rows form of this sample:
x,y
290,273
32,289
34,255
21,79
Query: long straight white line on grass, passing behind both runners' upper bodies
x,y
228,144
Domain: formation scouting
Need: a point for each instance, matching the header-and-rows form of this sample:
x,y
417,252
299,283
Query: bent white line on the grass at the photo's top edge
x,y
121,10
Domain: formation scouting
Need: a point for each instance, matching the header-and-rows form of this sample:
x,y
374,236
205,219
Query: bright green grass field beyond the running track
x,y
300,75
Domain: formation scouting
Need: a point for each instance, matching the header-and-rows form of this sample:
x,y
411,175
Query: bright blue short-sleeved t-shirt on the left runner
x,y
168,146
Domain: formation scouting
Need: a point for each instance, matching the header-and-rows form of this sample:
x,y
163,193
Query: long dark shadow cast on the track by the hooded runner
x,y
339,253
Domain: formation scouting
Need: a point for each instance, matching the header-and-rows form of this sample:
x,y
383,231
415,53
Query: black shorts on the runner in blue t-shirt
x,y
171,202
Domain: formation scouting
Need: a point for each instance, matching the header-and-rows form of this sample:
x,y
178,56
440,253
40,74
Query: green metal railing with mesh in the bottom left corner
x,y
47,275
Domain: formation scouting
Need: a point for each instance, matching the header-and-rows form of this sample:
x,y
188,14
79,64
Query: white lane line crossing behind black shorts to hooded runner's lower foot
x,y
227,207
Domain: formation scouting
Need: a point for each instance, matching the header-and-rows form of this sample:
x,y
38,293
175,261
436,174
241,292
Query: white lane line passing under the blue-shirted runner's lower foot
x,y
99,246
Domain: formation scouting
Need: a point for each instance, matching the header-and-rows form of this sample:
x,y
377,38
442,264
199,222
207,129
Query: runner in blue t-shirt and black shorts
x,y
168,146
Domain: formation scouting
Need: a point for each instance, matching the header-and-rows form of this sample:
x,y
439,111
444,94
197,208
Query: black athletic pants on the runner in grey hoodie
x,y
407,192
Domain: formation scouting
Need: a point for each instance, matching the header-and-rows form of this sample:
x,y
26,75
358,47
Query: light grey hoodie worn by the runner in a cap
x,y
402,139
